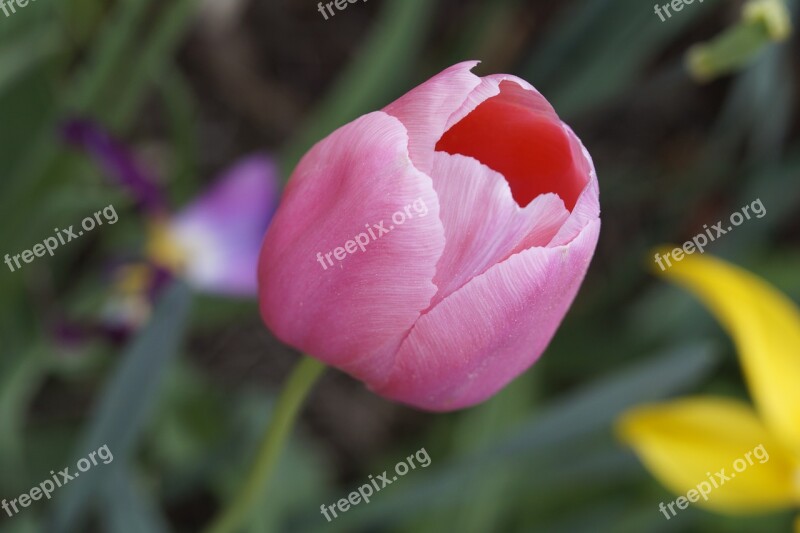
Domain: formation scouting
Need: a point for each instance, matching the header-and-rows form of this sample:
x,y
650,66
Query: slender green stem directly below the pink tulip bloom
x,y
252,491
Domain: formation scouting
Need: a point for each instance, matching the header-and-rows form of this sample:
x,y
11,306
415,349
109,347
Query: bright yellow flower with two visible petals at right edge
x,y
747,457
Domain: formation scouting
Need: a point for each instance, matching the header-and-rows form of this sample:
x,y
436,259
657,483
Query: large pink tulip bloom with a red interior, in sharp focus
x,y
431,249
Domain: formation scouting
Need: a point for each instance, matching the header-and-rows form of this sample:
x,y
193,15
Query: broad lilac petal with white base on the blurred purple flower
x,y
221,232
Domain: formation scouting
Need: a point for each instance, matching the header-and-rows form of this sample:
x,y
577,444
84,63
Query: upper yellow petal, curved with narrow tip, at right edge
x,y
764,324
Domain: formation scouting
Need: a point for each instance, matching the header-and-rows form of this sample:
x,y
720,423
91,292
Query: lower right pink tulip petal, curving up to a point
x,y
489,331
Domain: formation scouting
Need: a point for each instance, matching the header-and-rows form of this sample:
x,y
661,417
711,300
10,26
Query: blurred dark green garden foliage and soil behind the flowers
x,y
182,395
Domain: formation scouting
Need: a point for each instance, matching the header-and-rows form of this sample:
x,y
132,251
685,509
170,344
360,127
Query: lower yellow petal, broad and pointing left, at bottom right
x,y
695,443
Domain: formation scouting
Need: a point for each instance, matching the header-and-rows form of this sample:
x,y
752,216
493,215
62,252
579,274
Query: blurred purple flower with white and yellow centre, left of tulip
x,y
213,242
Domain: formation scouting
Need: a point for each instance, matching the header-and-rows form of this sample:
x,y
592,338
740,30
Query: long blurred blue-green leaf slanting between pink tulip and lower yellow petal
x,y
588,410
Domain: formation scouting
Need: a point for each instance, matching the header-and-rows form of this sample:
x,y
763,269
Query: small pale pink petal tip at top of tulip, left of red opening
x,y
425,110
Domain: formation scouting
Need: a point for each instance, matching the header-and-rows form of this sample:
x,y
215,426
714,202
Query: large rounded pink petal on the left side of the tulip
x,y
350,183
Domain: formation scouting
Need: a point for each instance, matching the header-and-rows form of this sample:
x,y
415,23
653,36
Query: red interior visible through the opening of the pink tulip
x,y
518,135
